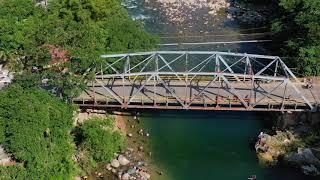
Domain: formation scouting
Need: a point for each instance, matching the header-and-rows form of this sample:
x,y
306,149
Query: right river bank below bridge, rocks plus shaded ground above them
x,y
293,142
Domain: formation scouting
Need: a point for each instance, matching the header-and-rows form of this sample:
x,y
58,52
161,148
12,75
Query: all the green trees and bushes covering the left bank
x,y
52,50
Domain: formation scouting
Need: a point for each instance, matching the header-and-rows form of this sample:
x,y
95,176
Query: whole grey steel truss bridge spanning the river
x,y
199,80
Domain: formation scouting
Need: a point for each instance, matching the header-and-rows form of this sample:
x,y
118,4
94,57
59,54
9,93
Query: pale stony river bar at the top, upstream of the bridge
x,y
189,15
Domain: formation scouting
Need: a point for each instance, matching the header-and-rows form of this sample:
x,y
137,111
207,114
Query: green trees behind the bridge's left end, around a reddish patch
x,y
83,28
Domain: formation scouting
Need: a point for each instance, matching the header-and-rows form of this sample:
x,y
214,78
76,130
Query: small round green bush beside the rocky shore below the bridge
x,y
100,139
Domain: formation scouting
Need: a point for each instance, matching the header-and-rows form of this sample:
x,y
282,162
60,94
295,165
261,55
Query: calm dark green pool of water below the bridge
x,y
209,145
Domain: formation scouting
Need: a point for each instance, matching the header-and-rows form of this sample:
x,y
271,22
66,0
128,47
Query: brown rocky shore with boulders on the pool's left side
x,y
132,162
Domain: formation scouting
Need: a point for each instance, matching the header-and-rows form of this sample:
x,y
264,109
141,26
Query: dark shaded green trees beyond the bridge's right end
x,y
299,28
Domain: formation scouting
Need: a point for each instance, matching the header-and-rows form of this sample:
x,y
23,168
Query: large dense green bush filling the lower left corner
x,y
37,133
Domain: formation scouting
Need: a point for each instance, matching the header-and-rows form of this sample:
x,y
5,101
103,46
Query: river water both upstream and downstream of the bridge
x,y
201,144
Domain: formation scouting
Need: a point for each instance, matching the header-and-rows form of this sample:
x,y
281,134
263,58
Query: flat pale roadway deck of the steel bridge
x,y
264,97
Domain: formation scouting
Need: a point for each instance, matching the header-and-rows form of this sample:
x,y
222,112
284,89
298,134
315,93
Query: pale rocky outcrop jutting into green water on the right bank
x,y
297,146
